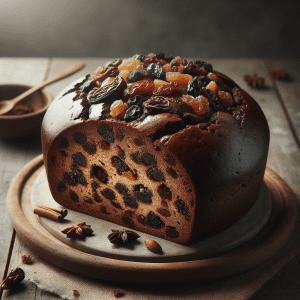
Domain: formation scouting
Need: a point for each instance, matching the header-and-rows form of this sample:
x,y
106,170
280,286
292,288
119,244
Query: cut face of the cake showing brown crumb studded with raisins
x,y
115,172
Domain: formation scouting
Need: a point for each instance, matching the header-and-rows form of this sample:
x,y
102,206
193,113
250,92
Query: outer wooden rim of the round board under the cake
x,y
265,244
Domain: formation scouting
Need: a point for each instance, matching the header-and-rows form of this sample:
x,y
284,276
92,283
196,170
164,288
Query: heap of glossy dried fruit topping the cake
x,y
130,90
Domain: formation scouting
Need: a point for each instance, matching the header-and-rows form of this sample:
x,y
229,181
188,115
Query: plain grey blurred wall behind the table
x,y
113,28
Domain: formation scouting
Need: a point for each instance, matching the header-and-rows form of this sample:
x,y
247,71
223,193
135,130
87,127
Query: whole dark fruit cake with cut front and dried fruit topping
x,y
159,144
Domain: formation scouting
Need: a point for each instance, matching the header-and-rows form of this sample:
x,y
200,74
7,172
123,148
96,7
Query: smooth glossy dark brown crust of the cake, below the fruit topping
x,y
225,159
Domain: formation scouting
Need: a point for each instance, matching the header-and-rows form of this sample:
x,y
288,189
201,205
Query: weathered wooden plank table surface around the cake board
x,y
280,101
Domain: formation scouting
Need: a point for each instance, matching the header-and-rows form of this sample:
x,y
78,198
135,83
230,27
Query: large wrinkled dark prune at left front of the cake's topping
x,y
109,92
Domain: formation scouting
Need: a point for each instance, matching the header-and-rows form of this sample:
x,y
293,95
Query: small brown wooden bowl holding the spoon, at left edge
x,y
15,126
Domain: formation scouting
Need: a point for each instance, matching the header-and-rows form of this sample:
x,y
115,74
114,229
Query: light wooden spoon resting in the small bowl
x,y
8,105
